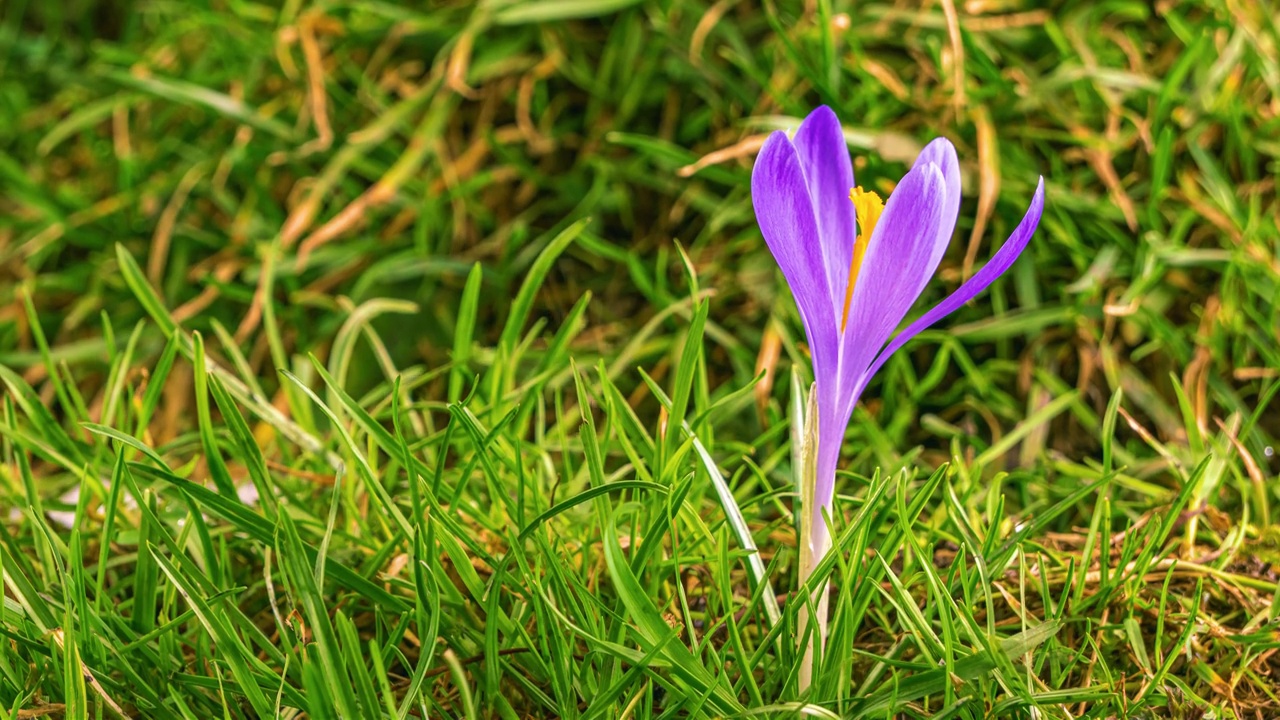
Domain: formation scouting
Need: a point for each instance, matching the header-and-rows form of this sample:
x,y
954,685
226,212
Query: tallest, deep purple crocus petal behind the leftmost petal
x,y
830,177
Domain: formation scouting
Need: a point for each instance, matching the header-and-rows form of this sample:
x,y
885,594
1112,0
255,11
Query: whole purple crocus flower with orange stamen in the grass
x,y
856,267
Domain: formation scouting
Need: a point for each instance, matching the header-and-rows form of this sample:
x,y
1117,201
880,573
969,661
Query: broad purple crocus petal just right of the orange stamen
x,y
900,261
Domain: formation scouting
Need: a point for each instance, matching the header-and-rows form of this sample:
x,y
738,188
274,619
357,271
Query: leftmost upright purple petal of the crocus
x,y
789,224
